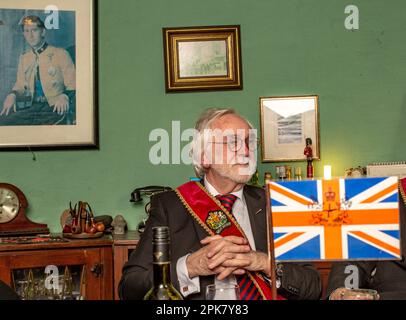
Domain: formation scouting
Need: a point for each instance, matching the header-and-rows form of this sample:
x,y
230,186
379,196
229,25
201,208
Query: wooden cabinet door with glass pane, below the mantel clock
x,y
66,273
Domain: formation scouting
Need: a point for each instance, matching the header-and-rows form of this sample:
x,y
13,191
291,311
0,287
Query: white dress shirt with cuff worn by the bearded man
x,y
240,211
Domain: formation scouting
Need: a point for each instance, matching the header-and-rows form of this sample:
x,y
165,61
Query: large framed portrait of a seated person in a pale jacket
x,y
48,63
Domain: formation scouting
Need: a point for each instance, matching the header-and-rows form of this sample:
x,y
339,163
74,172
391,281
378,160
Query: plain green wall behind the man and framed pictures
x,y
289,47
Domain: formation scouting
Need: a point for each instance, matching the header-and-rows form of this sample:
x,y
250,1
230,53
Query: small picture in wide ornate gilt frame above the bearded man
x,y
202,58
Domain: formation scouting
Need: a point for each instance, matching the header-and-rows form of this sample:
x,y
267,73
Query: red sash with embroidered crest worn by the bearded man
x,y
215,219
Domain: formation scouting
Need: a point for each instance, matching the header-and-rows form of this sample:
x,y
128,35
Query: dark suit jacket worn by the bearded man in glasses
x,y
300,281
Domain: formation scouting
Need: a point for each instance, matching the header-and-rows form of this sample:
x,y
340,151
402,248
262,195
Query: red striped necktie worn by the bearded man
x,y
248,290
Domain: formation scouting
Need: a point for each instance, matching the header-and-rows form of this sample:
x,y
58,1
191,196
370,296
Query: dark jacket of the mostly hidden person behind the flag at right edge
x,y
387,277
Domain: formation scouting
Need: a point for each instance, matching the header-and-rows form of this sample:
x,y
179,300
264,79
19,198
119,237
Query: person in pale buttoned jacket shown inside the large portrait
x,y
46,82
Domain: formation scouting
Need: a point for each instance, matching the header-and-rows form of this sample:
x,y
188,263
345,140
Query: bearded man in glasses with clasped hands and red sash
x,y
218,225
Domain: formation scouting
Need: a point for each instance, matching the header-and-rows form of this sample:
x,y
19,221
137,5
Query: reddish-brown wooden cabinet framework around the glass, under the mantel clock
x,y
92,258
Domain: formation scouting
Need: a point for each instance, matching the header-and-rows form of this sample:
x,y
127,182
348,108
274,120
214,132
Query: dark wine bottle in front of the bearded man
x,y
162,288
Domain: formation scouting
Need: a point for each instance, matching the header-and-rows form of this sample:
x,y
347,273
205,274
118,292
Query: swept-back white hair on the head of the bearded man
x,y
204,123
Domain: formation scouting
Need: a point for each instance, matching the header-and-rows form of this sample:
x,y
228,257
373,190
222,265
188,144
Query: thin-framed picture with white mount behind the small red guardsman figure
x,y
289,127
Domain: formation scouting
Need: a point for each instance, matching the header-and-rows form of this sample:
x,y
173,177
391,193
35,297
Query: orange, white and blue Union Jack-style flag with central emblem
x,y
336,219
